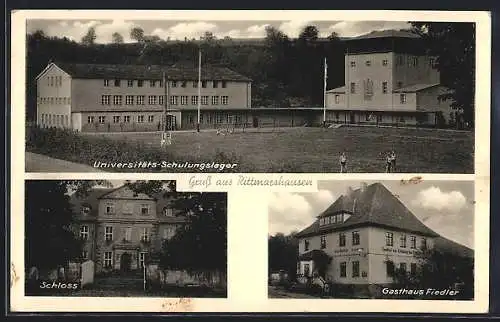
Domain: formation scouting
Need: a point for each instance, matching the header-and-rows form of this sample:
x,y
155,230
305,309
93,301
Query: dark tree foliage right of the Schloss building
x,y
202,244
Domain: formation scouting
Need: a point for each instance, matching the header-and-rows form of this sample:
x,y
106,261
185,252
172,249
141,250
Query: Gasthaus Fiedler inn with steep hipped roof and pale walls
x,y
367,233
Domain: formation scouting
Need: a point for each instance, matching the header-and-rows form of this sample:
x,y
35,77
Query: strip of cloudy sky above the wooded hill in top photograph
x,y
76,29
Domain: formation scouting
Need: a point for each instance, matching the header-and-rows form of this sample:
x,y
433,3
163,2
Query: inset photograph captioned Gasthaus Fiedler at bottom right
x,y
373,240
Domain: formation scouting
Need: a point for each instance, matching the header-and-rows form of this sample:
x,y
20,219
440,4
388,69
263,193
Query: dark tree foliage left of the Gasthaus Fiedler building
x,y
282,254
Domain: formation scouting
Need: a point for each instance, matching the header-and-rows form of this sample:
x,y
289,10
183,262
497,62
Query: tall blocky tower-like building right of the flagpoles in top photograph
x,y
389,79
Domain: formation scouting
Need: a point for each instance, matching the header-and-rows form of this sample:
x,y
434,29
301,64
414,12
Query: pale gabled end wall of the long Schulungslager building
x,y
54,98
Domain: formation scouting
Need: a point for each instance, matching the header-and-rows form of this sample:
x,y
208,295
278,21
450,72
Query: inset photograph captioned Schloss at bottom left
x,y
124,239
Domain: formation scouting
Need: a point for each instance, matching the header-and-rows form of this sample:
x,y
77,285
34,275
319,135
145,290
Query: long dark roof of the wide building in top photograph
x,y
147,72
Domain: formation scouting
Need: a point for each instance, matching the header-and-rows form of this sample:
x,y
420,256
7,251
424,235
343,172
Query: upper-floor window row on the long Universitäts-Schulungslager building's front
x,y
160,100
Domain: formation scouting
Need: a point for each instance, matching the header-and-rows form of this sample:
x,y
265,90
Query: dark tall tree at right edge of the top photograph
x,y
453,43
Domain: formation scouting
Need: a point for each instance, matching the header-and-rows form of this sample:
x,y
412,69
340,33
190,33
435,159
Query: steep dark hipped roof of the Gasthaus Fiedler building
x,y
374,205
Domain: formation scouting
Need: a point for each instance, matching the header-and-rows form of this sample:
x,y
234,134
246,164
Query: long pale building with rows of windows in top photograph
x,y
91,97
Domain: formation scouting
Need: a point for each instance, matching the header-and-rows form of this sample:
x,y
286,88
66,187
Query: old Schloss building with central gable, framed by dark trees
x,y
120,228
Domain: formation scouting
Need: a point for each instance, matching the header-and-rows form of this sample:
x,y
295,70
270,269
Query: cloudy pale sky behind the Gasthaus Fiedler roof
x,y
447,207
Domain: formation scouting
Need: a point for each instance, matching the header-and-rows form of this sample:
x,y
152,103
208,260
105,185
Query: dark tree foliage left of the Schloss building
x,y
50,239
